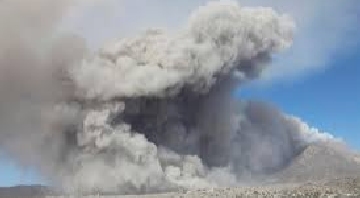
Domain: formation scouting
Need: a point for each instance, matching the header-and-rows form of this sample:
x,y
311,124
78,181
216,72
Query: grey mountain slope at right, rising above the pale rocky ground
x,y
321,161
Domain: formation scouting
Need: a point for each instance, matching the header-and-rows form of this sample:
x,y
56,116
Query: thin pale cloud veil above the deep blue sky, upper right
x,y
324,30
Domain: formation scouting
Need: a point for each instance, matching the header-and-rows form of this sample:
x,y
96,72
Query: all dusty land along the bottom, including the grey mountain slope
x,y
321,170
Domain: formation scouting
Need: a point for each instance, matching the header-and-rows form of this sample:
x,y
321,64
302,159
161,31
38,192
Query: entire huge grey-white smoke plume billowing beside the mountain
x,y
149,113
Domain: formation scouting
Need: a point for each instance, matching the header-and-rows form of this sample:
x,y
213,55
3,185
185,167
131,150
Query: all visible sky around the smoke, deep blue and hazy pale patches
x,y
319,79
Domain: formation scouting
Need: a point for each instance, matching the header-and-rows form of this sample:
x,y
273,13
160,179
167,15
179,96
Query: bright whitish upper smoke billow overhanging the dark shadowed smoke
x,y
158,62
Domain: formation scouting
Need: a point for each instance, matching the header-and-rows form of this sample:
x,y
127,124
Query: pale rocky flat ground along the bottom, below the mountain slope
x,y
347,187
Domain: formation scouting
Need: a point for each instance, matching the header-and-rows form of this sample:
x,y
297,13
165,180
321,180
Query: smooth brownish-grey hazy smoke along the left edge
x,y
33,61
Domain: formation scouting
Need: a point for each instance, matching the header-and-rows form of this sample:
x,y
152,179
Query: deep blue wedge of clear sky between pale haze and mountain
x,y
328,100
